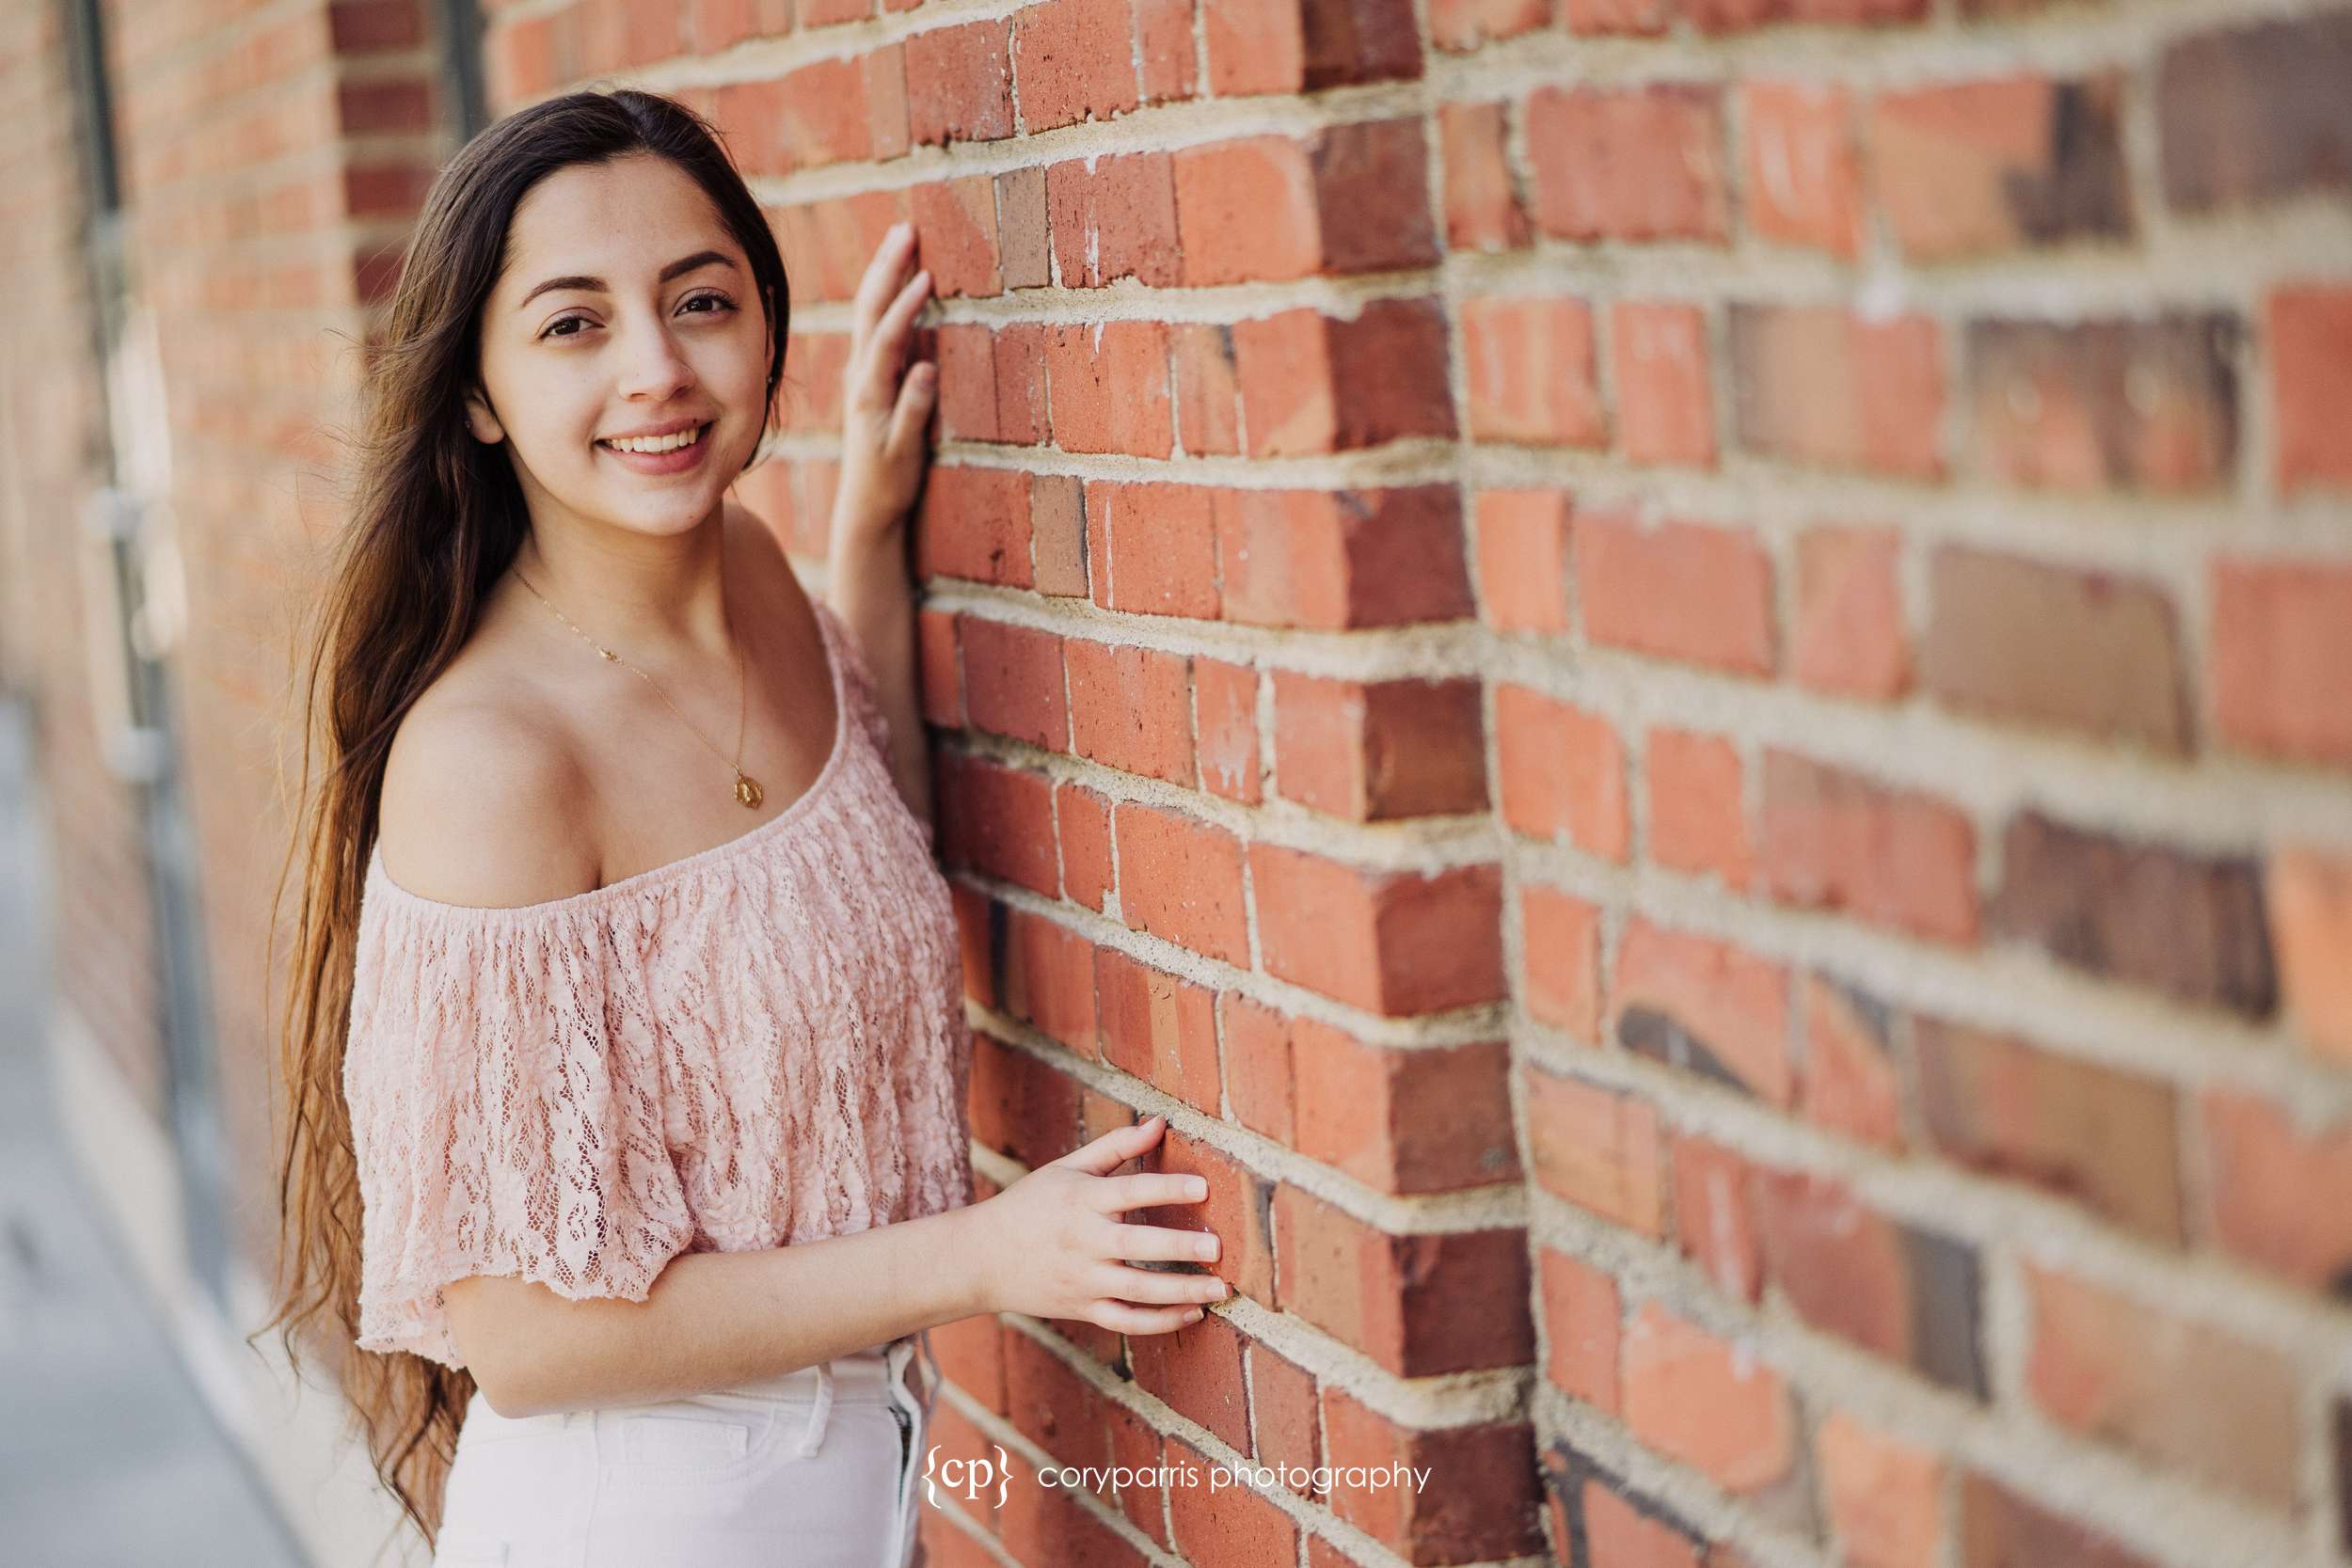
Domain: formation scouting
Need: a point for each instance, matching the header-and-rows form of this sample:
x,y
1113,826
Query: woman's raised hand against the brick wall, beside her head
x,y
886,403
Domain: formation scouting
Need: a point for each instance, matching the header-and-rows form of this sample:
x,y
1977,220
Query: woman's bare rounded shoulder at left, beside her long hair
x,y
486,793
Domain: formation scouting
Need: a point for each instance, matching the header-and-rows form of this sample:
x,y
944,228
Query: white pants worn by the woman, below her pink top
x,y
810,1470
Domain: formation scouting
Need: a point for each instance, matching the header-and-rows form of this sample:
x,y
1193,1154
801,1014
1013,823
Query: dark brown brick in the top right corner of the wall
x,y
2257,114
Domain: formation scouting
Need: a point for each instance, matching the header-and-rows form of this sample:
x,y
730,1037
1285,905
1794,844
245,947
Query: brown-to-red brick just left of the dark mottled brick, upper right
x,y
1817,384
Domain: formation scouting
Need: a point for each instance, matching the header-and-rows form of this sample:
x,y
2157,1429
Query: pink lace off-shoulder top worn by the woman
x,y
751,1047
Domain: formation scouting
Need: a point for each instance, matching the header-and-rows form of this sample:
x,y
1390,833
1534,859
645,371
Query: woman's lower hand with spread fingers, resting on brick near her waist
x,y
1055,1247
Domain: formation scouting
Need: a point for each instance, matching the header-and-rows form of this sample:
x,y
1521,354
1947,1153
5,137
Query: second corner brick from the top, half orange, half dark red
x,y
1269,208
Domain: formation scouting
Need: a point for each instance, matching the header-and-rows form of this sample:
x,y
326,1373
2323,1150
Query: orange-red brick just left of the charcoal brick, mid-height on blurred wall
x,y
1840,840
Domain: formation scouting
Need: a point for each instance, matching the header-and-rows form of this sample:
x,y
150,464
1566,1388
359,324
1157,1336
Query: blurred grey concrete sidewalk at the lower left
x,y
109,1456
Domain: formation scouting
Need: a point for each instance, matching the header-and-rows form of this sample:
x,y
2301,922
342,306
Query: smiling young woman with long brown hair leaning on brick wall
x,y
624,1054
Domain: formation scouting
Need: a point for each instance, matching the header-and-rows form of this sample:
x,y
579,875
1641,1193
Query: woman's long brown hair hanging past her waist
x,y
434,521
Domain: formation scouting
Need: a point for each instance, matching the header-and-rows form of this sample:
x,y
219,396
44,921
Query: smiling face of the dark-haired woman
x,y
627,307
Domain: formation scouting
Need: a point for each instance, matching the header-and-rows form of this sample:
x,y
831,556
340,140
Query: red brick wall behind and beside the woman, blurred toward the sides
x,y
1676,671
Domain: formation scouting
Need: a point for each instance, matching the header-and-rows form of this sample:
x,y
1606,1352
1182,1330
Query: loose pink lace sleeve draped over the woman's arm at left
x,y
505,1113
